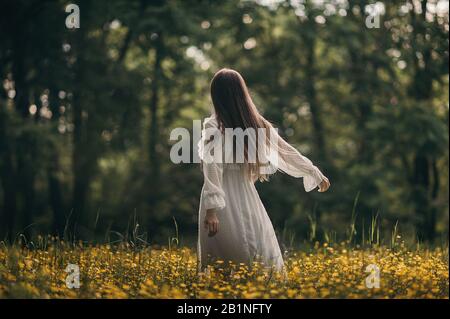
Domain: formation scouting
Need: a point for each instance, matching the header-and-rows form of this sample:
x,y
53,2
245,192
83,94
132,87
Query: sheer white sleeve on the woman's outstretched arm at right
x,y
293,163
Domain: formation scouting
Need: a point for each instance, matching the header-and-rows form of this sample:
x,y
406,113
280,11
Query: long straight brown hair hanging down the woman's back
x,y
234,108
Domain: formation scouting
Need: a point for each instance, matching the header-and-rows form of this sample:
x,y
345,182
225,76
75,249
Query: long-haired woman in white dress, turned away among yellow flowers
x,y
236,226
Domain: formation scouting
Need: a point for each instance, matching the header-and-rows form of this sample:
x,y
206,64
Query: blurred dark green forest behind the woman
x,y
86,113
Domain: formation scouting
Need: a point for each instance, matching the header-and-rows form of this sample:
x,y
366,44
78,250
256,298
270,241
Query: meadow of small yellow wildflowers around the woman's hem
x,y
127,271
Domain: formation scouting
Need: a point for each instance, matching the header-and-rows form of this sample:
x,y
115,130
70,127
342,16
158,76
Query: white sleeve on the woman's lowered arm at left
x,y
213,194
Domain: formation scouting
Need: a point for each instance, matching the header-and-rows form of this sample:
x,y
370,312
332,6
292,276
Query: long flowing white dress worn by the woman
x,y
245,231
